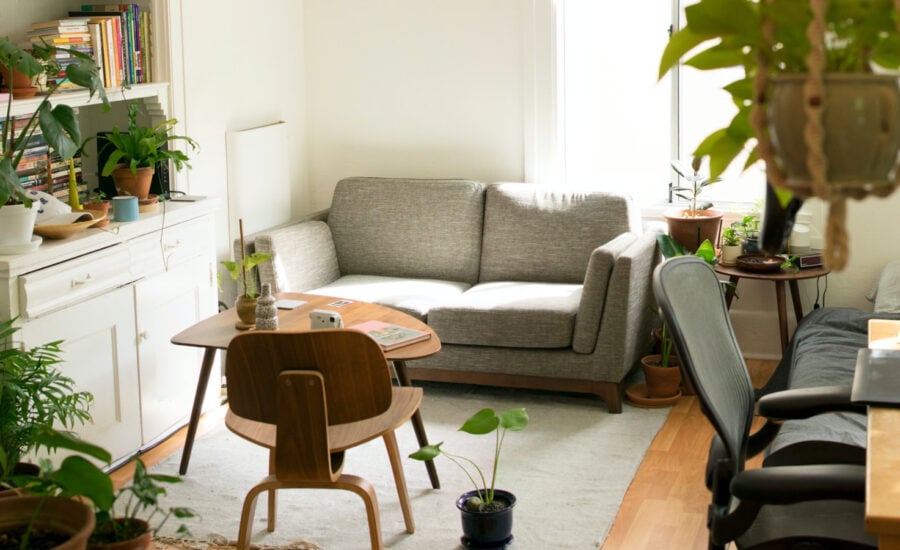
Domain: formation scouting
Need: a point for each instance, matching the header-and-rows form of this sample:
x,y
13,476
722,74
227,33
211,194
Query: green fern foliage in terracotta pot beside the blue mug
x,y
144,146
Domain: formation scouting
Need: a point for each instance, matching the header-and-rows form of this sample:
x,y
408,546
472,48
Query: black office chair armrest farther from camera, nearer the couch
x,y
807,402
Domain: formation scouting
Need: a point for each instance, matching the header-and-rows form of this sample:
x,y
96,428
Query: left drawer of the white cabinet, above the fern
x,y
58,286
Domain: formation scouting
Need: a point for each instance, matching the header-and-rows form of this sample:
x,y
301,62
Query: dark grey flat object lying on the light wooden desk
x,y
877,377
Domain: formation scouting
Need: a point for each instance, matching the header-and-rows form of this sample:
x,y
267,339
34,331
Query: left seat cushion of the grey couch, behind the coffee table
x,y
412,296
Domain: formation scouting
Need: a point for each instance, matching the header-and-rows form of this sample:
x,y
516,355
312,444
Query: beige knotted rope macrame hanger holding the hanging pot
x,y
833,193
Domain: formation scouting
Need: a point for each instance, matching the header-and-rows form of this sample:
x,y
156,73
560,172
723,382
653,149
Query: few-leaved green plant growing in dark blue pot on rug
x,y
483,422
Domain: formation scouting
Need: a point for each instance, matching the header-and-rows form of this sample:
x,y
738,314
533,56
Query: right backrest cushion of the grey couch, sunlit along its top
x,y
539,233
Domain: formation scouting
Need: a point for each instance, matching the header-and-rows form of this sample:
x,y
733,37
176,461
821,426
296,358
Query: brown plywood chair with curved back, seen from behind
x,y
308,397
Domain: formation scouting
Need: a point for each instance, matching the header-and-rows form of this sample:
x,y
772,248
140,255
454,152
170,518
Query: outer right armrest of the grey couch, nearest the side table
x,y
628,310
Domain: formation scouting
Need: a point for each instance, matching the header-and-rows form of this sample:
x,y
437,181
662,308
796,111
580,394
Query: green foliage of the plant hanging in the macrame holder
x,y
730,33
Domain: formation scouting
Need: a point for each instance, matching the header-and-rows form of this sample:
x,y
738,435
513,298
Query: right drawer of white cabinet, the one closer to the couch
x,y
154,253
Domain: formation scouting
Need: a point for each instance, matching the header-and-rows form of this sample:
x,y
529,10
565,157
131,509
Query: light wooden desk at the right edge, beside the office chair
x,y
883,454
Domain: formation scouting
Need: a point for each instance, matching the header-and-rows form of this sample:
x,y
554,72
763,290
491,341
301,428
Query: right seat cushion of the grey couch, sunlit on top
x,y
509,314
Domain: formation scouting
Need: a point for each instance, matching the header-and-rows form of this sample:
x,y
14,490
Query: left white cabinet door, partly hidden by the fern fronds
x,y
100,354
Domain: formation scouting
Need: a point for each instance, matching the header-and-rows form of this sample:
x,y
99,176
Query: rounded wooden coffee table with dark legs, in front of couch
x,y
216,332
